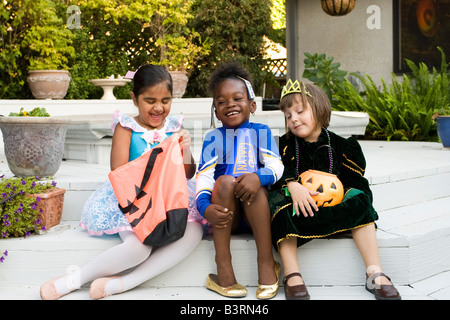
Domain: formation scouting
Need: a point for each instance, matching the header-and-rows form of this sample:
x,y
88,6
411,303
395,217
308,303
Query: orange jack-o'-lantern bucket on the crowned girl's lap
x,y
330,188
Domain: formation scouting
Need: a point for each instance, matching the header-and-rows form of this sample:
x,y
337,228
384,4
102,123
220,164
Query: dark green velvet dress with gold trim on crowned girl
x,y
348,163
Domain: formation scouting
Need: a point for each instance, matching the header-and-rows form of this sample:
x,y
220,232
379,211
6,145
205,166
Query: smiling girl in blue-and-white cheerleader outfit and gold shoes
x,y
239,160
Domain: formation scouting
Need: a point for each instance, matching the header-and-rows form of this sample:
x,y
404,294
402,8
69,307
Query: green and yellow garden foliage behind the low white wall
x,y
114,36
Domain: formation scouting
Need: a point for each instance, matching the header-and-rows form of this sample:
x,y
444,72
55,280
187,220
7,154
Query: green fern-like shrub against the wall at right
x,y
404,109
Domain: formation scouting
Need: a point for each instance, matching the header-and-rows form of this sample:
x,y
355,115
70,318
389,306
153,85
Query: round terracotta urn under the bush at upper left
x,y
49,84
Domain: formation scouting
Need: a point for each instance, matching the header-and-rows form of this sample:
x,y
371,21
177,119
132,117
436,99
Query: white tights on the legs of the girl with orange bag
x,y
130,253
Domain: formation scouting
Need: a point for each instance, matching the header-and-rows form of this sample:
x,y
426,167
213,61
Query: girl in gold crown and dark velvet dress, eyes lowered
x,y
296,219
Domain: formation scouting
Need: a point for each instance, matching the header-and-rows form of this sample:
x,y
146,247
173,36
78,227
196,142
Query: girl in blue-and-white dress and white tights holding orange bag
x,y
152,94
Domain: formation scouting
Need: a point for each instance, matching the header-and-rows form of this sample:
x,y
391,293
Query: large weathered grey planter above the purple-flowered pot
x,y
33,142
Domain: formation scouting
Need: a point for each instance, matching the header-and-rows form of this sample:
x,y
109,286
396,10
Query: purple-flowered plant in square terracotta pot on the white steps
x,y
28,205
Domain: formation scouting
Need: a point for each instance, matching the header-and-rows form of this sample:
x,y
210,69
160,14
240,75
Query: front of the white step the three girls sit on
x,y
409,253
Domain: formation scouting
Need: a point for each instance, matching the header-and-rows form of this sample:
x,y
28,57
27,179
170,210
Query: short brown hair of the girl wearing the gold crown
x,y
317,99
